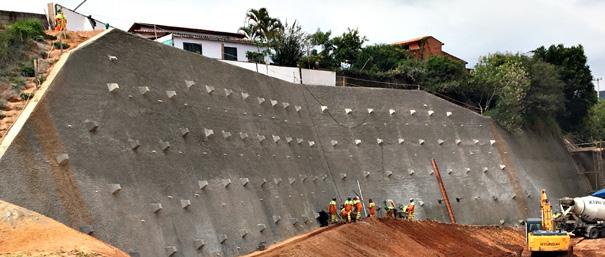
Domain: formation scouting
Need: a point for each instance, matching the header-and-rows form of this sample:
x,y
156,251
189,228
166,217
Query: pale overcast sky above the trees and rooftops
x,y
469,28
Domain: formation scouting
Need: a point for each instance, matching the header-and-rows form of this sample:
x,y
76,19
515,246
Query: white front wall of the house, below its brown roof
x,y
213,49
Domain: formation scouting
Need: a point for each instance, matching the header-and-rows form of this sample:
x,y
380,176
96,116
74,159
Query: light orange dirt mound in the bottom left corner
x,y
27,233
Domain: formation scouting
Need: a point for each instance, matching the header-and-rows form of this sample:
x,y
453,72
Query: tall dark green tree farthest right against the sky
x,y
578,89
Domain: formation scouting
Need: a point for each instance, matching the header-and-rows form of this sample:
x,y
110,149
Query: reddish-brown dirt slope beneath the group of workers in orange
x,y
398,238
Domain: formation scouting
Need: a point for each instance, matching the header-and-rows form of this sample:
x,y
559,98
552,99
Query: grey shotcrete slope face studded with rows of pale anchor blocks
x,y
194,155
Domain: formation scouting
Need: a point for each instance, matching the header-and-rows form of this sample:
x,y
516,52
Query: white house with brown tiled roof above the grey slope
x,y
214,44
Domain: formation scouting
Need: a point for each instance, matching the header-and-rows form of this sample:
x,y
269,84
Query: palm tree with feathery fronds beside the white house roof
x,y
260,26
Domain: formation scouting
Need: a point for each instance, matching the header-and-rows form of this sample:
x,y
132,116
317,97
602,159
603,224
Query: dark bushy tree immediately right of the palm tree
x,y
288,46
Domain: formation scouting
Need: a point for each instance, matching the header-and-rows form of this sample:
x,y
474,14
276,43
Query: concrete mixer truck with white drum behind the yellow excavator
x,y
583,216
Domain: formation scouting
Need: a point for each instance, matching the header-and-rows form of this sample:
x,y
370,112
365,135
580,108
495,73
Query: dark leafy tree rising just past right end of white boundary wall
x,y
348,46
